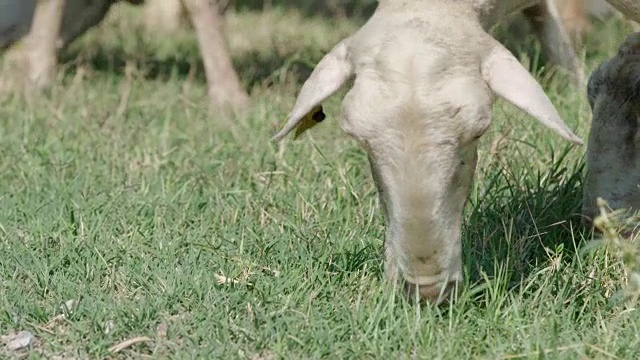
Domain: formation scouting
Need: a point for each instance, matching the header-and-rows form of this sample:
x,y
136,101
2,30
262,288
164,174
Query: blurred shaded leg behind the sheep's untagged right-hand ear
x,y
555,41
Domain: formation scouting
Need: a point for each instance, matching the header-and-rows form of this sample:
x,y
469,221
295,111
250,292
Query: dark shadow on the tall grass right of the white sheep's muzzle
x,y
523,221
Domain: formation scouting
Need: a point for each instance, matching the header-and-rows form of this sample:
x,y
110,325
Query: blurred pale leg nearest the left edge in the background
x,y
41,43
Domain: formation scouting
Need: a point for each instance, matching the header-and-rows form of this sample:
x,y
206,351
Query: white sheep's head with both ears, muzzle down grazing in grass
x,y
424,77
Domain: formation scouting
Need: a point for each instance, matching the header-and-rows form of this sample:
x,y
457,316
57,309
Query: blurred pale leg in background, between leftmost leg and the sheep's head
x,y
223,83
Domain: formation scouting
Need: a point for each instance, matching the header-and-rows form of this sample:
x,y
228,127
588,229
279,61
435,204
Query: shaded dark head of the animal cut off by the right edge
x,y
613,151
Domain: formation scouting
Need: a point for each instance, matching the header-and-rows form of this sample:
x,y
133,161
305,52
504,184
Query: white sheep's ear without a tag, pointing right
x,y
512,82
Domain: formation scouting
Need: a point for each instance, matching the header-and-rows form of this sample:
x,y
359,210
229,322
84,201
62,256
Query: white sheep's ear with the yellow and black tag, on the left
x,y
329,75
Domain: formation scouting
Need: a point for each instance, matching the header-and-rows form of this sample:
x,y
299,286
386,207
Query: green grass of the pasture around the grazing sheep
x,y
124,198
